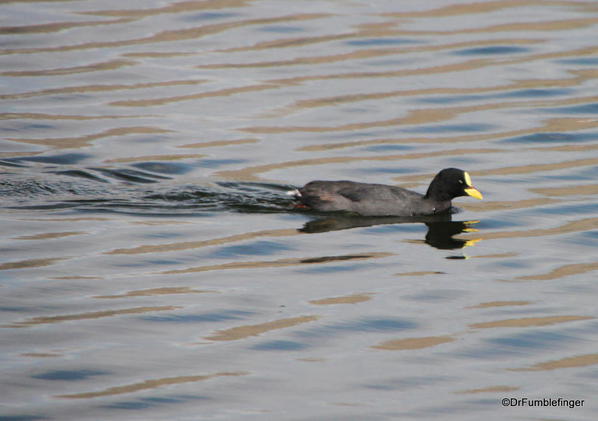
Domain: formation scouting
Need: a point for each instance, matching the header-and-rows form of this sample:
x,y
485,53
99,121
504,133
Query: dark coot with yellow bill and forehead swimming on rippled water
x,y
380,199
